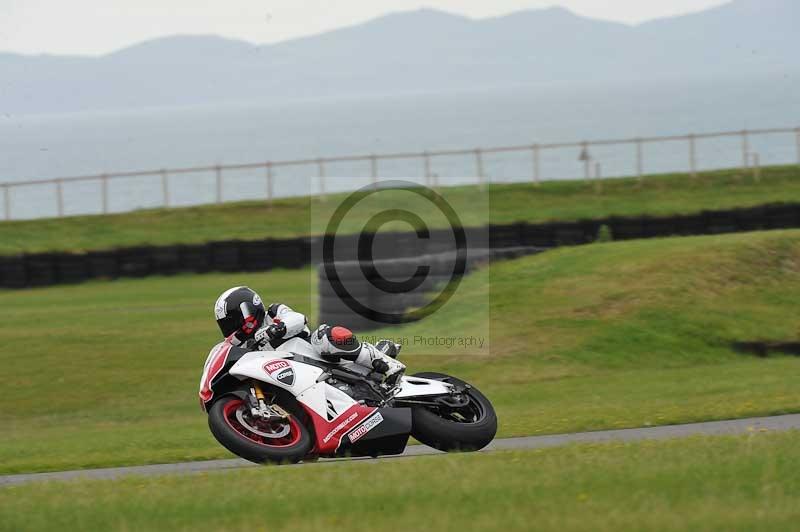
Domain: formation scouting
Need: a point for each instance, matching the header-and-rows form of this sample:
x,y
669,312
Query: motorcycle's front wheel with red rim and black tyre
x,y
278,442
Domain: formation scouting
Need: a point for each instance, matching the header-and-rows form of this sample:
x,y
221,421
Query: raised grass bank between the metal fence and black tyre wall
x,y
562,201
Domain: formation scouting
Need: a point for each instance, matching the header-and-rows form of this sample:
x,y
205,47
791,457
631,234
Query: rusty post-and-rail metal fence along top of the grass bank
x,y
592,167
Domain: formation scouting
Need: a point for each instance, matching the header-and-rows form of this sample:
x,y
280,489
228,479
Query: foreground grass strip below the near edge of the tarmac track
x,y
747,482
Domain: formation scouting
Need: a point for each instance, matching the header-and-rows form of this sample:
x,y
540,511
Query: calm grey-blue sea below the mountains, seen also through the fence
x,y
39,146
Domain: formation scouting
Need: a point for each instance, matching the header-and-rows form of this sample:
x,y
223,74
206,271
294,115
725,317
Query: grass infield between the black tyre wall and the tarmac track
x,y
593,337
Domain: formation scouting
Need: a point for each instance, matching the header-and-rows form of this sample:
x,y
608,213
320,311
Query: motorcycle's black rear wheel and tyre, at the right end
x,y
469,428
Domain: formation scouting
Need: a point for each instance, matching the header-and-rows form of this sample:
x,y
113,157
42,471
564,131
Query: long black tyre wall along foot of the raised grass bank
x,y
260,255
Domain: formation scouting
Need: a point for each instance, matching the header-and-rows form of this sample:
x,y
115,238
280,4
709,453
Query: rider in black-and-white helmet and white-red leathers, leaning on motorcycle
x,y
243,320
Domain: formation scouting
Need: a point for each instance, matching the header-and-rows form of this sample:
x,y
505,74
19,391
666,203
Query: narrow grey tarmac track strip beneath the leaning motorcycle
x,y
736,426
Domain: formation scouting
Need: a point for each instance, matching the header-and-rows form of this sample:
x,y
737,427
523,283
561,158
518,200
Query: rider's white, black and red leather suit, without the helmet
x,y
333,344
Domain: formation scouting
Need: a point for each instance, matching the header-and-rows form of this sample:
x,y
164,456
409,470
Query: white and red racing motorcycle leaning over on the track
x,y
289,405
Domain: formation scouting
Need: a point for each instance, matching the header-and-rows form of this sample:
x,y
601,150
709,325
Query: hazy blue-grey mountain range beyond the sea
x,y
419,50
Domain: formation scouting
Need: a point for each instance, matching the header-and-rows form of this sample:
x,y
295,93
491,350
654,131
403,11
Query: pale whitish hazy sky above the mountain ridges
x,y
99,26
